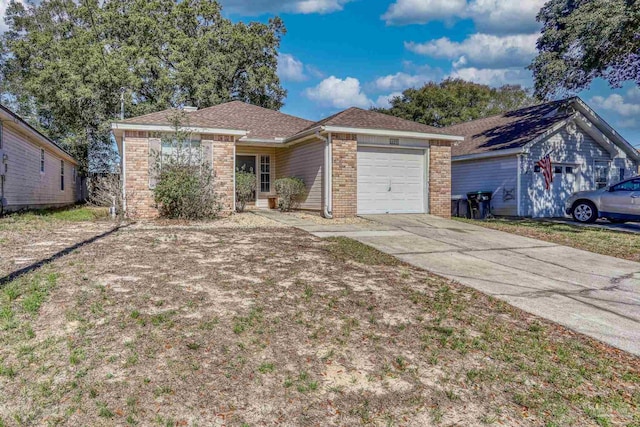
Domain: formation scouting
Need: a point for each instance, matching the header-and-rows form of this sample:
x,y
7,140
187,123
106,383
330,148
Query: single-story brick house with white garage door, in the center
x,y
355,162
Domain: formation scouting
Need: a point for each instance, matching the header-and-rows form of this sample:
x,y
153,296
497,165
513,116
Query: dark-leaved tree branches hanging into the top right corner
x,y
587,39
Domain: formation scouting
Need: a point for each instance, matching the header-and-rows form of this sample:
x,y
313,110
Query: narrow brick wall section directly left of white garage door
x,y
345,175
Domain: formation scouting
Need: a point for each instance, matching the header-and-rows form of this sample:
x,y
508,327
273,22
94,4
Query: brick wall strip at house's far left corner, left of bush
x,y
140,203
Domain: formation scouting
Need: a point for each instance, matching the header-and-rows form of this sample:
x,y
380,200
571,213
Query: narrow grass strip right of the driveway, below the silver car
x,y
606,242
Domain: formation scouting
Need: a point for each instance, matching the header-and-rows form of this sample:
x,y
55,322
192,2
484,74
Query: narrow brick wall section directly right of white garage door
x,y
440,179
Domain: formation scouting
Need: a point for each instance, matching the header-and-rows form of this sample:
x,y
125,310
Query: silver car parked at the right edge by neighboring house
x,y
617,203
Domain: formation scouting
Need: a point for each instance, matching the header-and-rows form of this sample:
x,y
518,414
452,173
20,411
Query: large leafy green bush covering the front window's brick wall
x,y
186,192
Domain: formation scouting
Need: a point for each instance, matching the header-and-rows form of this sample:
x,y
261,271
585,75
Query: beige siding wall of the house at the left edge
x,y
25,186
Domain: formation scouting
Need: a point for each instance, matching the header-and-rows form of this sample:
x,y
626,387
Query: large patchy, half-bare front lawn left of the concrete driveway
x,y
272,326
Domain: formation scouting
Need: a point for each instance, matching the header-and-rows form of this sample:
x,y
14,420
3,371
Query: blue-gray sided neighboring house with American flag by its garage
x,y
500,153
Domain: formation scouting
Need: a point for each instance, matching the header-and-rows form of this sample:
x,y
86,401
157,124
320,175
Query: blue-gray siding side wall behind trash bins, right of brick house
x,y
498,175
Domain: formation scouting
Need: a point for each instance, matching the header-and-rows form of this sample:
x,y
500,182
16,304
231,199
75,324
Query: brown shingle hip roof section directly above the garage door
x,y
367,119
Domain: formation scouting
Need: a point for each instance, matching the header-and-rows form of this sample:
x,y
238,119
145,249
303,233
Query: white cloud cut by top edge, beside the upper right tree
x,y
490,16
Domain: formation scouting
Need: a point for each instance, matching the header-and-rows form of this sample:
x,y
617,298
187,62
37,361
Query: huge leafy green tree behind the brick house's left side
x,y
63,63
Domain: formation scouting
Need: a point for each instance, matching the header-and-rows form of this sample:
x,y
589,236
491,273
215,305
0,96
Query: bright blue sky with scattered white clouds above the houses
x,y
342,53
